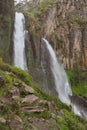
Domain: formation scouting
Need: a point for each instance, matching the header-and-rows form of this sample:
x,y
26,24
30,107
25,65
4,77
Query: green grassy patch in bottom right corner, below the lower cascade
x,y
71,122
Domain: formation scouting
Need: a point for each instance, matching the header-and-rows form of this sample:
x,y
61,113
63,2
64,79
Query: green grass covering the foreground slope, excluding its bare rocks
x,y
65,119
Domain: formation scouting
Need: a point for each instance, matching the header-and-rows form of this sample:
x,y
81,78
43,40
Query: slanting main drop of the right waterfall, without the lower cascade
x,y
61,82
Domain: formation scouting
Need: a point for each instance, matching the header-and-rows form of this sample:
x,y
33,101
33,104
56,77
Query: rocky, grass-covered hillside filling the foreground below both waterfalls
x,y
23,106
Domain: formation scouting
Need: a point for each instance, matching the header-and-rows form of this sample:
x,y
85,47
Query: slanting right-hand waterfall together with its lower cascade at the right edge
x,y
61,82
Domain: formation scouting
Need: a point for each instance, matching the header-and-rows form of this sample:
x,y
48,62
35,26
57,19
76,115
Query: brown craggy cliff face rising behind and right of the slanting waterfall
x,y
64,24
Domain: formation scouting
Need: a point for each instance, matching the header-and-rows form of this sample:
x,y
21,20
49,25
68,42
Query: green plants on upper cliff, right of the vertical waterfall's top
x,y
35,15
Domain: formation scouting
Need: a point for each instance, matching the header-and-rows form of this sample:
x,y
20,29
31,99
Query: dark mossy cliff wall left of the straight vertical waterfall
x,y
6,26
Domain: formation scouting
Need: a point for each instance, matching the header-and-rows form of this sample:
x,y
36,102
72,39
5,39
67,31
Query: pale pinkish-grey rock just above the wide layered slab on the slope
x,y
30,99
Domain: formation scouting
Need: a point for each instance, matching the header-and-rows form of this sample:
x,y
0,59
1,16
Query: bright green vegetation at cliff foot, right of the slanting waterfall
x,y
78,81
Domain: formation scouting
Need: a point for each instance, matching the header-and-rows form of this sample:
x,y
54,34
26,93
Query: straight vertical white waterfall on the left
x,y
19,41
